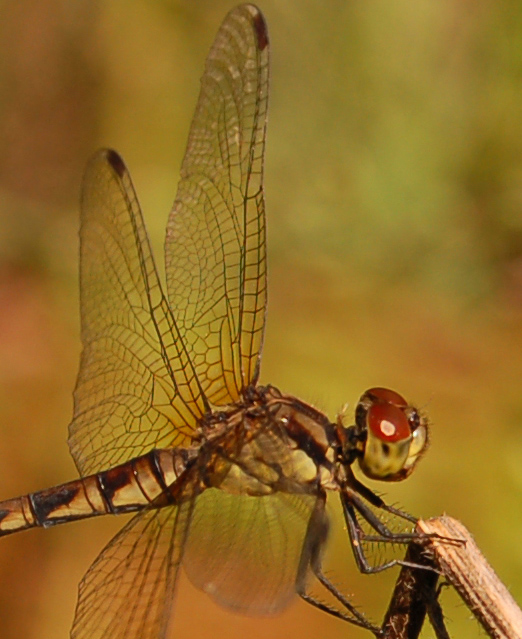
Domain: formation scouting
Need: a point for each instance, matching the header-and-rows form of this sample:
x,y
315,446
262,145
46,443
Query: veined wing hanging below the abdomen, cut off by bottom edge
x,y
128,591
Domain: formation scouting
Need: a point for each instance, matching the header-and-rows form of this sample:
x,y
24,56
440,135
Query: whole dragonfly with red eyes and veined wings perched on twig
x,y
226,477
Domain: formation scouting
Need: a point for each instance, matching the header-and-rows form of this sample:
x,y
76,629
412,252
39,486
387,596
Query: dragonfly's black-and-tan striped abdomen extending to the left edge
x,y
140,483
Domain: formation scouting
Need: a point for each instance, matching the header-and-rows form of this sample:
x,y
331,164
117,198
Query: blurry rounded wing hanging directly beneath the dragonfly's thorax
x,y
245,551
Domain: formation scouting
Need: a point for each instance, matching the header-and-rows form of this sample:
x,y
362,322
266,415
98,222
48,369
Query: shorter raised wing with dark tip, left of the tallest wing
x,y
136,388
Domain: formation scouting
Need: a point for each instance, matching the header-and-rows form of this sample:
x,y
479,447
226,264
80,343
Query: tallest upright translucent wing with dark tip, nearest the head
x,y
215,245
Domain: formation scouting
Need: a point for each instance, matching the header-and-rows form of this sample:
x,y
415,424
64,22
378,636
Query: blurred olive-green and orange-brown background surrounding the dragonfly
x,y
394,201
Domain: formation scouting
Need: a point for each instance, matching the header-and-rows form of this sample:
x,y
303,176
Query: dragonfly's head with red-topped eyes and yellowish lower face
x,y
389,436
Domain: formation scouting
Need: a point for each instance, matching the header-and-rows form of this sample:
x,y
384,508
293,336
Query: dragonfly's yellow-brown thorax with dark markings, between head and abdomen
x,y
270,442
